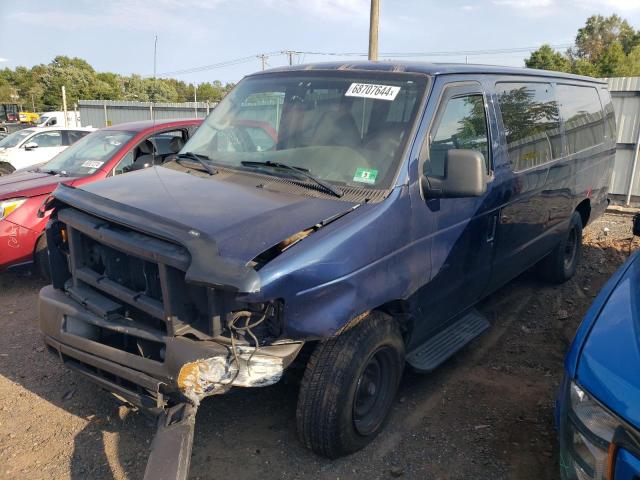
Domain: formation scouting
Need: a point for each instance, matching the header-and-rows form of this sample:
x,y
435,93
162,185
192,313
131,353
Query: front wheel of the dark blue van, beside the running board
x,y
349,385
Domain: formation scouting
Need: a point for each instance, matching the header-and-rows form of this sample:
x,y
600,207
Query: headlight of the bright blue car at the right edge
x,y
590,431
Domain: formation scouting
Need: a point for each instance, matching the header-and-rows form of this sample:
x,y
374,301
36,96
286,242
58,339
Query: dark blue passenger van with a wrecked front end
x,y
342,219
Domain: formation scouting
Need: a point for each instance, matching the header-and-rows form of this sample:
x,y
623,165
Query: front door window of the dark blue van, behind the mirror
x,y
462,125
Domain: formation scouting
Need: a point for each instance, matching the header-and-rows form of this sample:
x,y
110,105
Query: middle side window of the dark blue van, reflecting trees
x,y
531,122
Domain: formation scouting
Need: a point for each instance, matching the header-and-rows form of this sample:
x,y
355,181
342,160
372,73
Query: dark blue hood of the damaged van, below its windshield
x,y
242,220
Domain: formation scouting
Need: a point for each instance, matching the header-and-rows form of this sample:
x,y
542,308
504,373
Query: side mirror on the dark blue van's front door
x,y
465,176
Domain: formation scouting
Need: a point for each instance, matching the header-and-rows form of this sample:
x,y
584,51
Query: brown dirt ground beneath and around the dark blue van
x,y
486,414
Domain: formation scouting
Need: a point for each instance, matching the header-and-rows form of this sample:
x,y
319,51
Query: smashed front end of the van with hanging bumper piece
x,y
149,310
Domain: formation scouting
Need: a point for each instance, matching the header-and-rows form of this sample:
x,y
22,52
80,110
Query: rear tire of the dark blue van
x,y
561,264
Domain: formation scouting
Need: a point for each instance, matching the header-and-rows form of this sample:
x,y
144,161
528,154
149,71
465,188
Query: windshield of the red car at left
x,y
89,153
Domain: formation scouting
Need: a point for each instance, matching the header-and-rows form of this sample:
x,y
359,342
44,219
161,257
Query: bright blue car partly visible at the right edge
x,y
598,408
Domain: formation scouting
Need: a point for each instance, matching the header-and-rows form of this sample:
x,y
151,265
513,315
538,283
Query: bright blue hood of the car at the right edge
x,y
609,363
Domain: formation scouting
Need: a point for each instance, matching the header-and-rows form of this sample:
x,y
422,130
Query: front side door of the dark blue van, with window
x,y
463,228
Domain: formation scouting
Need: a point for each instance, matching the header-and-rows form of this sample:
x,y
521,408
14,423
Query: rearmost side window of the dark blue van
x,y
582,115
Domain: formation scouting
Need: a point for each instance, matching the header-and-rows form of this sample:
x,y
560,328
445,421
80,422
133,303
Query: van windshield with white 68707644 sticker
x,y
347,128
